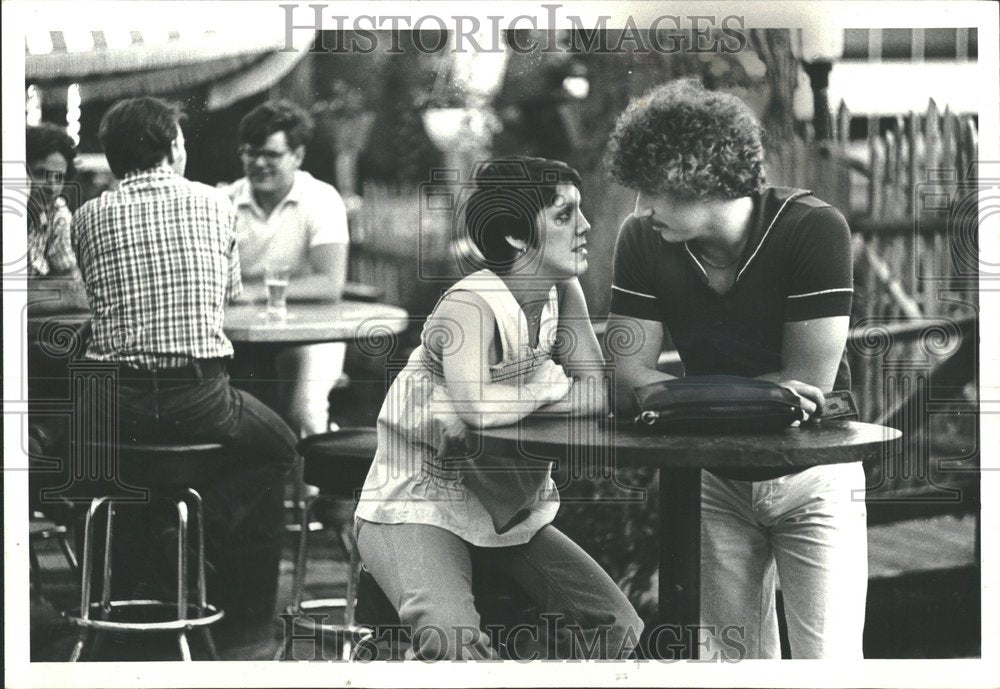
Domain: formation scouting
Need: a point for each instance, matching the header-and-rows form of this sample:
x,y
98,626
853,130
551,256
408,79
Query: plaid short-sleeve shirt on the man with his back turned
x,y
158,257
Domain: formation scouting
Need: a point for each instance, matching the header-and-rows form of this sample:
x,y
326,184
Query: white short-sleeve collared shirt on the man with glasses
x,y
312,214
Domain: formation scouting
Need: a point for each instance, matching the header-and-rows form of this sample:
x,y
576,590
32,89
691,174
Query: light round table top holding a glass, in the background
x,y
314,322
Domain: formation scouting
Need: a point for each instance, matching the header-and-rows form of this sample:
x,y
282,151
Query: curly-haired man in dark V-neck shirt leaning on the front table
x,y
751,280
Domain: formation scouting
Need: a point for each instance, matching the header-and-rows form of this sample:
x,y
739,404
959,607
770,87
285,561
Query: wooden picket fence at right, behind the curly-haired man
x,y
909,194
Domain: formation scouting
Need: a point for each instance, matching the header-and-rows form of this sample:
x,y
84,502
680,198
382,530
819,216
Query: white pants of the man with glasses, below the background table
x,y
307,374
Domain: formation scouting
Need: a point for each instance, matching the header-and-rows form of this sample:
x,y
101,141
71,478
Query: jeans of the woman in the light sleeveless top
x,y
426,573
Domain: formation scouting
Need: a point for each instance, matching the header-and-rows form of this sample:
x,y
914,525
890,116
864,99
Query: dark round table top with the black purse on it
x,y
829,442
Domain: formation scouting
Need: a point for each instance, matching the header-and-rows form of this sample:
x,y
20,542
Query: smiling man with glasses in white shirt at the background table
x,y
286,217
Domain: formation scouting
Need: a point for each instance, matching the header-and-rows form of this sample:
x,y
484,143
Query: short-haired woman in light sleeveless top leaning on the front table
x,y
488,357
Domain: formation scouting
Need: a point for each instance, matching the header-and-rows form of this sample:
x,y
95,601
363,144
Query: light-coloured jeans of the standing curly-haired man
x,y
807,528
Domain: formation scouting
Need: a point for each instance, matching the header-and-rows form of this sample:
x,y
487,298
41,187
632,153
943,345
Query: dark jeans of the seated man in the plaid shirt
x,y
211,411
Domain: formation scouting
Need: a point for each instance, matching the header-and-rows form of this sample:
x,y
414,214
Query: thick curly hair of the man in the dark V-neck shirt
x,y
683,139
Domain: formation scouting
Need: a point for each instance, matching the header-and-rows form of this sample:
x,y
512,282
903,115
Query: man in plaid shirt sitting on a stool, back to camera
x,y
159,260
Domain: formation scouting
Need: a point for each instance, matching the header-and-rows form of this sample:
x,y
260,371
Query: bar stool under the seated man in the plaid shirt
x,y
170,470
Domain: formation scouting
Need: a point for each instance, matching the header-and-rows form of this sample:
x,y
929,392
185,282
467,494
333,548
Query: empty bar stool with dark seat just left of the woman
x,y
337,463
